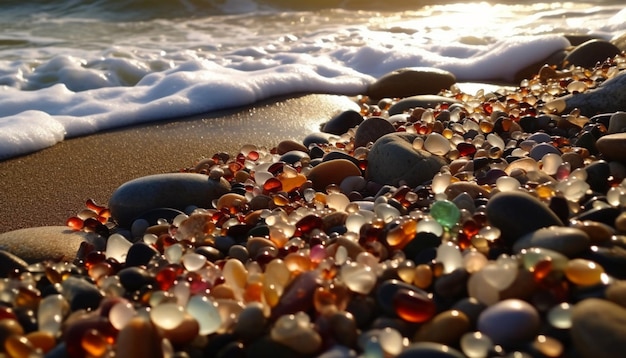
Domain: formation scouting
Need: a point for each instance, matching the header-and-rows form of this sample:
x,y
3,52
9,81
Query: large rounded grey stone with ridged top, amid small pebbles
x,y
392,160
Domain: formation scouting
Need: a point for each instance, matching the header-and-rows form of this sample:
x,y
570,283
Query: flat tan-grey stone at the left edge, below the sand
x,y
47,243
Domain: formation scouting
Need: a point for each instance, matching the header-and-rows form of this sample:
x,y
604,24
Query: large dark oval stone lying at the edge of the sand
x,y
171,190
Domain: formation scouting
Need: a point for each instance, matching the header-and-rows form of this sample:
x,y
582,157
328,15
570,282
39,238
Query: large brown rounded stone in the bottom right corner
x,y
598,328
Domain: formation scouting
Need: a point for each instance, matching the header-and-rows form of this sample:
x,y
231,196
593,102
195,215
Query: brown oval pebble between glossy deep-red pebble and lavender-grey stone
x,y
446,328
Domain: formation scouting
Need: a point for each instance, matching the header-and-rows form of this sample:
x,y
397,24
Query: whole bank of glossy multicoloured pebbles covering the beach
x,y
449,225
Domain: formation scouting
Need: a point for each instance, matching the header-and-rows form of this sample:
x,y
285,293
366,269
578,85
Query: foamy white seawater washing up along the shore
x,y
71,68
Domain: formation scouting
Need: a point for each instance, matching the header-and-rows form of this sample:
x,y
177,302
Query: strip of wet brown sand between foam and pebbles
x,y
47,187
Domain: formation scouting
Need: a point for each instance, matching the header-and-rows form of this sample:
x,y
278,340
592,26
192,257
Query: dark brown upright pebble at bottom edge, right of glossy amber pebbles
x,y
139,338
